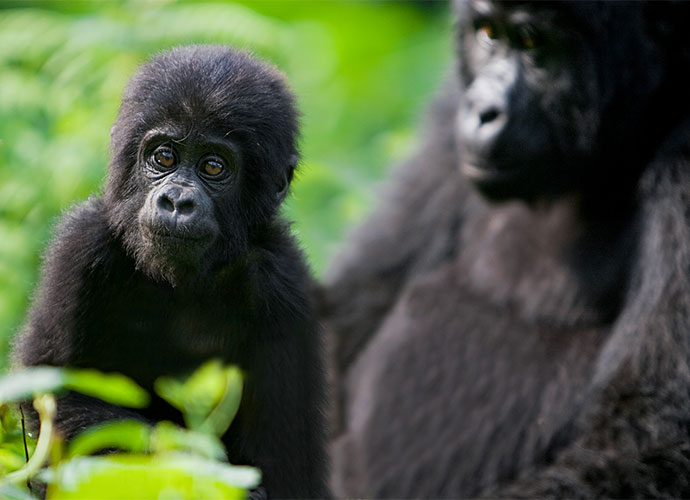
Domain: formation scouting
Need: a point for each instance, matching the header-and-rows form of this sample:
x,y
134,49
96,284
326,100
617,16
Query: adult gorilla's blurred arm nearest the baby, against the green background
x,y
414,228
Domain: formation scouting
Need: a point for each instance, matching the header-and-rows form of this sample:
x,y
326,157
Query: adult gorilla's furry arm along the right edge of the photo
x,y
639,432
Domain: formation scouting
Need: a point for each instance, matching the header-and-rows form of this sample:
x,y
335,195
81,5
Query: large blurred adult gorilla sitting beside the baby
x,y
515,318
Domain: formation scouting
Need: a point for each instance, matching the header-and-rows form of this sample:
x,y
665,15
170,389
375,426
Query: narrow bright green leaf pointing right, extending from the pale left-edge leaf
x,y
112,387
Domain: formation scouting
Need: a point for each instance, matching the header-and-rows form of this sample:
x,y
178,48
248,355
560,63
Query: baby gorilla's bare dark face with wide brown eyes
x,y
177,222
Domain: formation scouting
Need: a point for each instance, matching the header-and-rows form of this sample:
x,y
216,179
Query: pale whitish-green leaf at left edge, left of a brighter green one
x,y
28,382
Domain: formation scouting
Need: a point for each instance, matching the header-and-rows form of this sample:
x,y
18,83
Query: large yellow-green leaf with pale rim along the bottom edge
x,y
150,476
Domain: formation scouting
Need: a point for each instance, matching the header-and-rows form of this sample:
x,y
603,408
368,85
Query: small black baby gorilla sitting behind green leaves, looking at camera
x,y
185,258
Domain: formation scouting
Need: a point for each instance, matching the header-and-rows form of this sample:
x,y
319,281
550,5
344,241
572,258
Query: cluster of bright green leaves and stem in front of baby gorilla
x,y
159,461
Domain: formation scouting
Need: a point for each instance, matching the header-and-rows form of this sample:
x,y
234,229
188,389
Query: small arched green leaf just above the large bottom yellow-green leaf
x,y
126,435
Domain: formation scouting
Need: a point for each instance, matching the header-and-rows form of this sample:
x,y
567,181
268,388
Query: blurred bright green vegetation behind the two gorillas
x,y
362,71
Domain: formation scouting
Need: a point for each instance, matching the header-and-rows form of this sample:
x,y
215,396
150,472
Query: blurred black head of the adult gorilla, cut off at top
x,y
562,96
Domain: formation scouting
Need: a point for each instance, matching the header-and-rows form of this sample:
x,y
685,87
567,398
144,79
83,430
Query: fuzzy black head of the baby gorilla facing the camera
x,y
203,152
